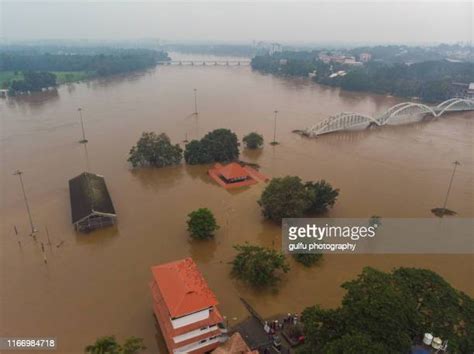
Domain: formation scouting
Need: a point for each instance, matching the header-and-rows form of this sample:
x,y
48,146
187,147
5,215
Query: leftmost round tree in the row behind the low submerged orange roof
x,y
155,150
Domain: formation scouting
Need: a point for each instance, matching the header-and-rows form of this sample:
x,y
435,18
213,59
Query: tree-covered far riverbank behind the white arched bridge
x,y
428,80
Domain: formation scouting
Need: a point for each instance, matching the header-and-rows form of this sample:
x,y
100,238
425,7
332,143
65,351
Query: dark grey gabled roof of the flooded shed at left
x,y
89,195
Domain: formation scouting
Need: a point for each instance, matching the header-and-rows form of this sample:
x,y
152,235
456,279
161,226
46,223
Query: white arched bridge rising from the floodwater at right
x,y
401,113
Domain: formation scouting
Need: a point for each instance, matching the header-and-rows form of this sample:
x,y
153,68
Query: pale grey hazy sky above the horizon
x,y
309,21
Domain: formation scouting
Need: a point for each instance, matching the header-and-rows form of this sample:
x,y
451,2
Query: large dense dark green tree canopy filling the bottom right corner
x,y
390,309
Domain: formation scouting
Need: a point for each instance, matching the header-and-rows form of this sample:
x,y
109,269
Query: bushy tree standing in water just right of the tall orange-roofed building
x,y
258,266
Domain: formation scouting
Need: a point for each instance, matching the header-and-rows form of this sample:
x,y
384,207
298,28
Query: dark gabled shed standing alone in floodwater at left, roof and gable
x,y
91,206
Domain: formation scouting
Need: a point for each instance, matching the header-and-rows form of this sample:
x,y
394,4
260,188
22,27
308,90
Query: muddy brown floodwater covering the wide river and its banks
x,y
97,284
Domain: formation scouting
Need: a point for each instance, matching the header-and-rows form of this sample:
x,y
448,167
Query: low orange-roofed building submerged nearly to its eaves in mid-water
x,y
233,175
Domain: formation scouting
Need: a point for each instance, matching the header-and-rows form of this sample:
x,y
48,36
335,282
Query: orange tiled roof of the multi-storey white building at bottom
x,y
183,287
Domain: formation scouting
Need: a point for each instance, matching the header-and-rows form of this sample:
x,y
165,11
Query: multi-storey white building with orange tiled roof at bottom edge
x,y
185,308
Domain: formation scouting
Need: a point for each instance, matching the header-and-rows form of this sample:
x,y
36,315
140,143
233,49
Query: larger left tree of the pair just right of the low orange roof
x,y
284,197
